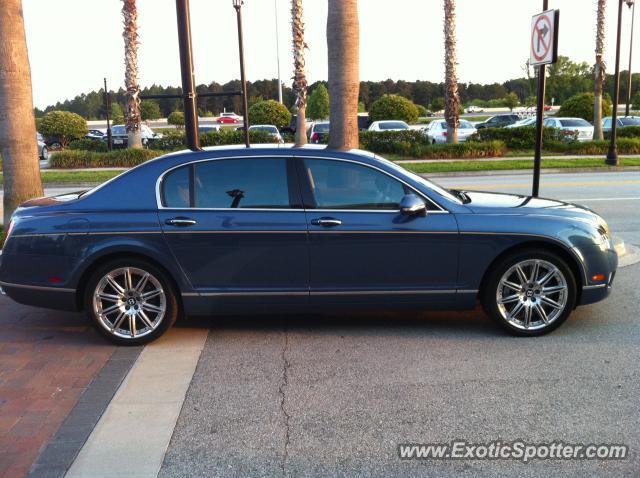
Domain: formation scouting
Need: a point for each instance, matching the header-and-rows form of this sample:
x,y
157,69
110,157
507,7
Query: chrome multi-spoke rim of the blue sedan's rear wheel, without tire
x,y
129,302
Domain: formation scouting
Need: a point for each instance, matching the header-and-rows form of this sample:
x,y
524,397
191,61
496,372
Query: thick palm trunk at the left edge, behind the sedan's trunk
x,y
17,124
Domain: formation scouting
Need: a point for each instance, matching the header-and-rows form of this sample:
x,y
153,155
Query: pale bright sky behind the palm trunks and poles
x,y
74,44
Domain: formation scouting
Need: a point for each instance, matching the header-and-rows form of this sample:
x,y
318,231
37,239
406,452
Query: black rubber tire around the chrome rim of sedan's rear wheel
x,y
169,302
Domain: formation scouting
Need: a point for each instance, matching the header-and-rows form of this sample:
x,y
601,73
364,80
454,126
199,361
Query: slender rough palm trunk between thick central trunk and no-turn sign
x,y
452,98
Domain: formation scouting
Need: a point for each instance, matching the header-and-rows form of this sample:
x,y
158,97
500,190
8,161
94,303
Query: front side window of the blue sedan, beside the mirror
x,y
345,185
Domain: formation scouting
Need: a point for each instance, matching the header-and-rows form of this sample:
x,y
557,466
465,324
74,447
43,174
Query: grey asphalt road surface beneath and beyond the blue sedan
x,y
334,396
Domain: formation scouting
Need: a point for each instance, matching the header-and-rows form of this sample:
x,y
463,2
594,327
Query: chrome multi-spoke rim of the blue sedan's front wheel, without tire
x,y
532,294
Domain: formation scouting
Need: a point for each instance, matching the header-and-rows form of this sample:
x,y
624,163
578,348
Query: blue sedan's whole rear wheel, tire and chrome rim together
x,y
131,302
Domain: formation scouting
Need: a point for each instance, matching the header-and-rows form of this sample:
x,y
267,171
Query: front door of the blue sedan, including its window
x,y
361,248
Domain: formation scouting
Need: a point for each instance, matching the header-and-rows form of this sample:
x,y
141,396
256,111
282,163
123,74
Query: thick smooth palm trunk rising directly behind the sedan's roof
x,y
343,48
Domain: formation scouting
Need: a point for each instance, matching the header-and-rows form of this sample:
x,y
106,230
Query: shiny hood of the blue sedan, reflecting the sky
x,y
492,203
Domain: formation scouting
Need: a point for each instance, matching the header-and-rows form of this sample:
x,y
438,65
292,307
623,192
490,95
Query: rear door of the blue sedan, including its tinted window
x,y
237,228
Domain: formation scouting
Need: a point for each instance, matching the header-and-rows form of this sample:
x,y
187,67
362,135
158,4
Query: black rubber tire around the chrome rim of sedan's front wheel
x,y
490,293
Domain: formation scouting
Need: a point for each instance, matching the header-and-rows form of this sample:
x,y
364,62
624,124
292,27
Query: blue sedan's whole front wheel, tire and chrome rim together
x,y
530,292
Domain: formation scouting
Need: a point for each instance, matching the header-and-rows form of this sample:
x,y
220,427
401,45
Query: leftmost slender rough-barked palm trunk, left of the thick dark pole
x,y
130,35
